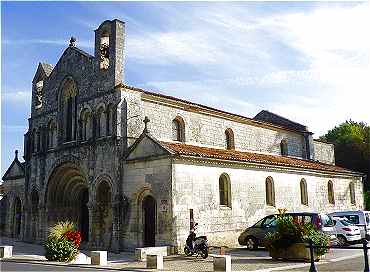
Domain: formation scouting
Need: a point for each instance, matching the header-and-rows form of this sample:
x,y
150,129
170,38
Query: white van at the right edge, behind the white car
x,y
359,218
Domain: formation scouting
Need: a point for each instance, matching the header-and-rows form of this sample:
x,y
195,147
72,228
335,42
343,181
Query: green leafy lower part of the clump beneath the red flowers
x,y
60,250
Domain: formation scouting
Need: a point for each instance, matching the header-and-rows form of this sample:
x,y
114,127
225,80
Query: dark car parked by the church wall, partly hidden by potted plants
x,y
254,236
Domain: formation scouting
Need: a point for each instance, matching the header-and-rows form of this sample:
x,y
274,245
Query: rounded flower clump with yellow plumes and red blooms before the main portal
x,y
63,242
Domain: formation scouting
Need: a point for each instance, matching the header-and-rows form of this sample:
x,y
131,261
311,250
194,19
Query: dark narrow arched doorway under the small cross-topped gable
x,y
149,220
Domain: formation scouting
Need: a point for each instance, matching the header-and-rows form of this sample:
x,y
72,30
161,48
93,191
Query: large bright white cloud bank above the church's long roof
x,y
332,40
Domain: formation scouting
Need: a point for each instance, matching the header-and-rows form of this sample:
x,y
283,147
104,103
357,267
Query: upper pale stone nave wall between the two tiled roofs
x,y
209,130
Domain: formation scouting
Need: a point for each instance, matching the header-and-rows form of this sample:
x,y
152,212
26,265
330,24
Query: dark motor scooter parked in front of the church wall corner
x,y
199,245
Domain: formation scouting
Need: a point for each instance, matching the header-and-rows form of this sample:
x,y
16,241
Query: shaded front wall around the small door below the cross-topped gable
x,y
143,178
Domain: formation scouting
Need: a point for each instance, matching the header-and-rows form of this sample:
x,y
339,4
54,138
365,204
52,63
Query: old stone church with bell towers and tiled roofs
x,y
135,168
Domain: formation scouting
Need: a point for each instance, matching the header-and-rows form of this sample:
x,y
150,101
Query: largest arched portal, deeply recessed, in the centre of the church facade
x,y
67,197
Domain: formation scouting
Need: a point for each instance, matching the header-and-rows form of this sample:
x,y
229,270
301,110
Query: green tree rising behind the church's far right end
x,y
352,146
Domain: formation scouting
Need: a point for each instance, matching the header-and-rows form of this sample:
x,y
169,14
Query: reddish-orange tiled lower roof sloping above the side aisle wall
x,y
233,155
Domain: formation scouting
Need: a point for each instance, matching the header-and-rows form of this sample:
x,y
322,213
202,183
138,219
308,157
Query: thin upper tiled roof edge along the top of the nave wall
x,y
202,106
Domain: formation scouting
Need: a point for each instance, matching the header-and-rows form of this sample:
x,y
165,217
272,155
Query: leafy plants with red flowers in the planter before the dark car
x,y
289,232
